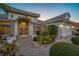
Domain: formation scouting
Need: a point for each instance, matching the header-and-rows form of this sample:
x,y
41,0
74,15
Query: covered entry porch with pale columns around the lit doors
x,y
24,26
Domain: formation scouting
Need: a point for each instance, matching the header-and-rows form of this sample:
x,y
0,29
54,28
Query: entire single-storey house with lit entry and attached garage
x,y
16,22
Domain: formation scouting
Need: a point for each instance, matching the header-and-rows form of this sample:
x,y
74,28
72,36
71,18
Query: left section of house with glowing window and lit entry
x,y
16,22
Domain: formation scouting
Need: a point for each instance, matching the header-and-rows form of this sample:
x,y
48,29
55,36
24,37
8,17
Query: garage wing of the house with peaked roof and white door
x,y
63,24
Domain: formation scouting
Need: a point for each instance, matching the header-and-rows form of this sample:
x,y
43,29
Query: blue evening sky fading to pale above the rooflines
x,y
50,10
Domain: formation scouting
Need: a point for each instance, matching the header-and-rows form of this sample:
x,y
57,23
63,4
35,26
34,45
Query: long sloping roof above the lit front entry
x,y
19,11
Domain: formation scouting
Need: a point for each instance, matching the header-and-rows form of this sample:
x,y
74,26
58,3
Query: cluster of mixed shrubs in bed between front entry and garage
x,y
46,36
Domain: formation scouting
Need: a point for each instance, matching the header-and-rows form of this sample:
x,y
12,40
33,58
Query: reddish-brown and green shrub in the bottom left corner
x,y
9,49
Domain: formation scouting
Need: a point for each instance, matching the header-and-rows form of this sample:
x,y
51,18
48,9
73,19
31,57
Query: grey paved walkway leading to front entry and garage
x,y
27,48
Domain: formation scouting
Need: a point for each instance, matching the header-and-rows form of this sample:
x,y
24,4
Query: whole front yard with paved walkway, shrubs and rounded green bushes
x,y
45,45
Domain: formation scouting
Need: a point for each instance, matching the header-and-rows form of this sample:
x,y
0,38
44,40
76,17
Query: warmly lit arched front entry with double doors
x,y
23,27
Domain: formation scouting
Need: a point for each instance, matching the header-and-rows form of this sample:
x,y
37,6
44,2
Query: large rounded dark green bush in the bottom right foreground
x,y
64,49
